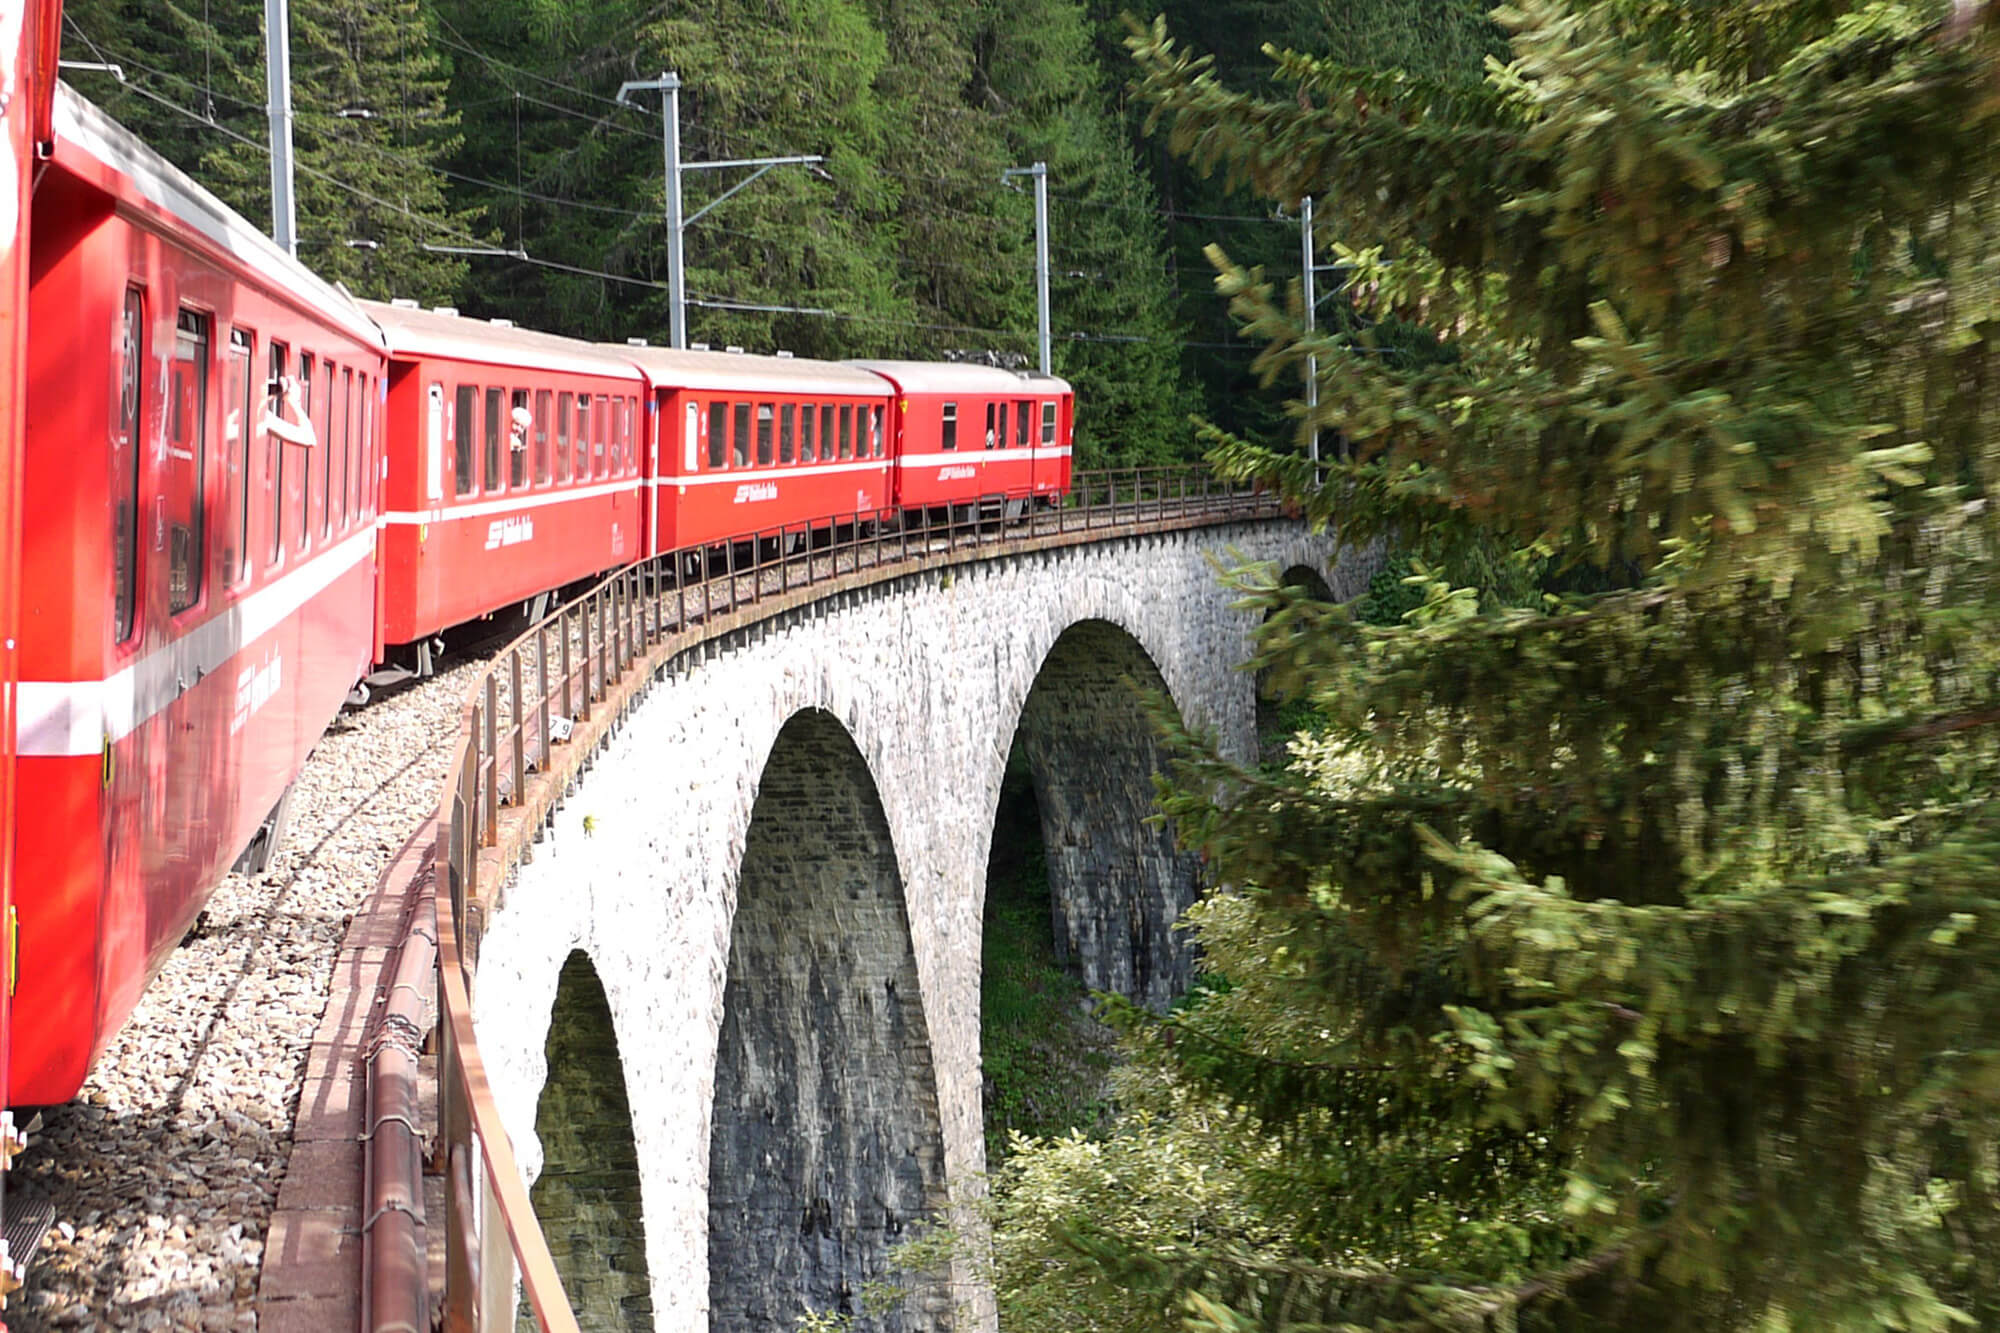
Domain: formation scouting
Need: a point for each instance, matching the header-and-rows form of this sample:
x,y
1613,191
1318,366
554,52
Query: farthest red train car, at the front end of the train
x,y
977,433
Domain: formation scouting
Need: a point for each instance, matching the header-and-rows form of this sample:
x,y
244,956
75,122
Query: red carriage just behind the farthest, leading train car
x,y
753,443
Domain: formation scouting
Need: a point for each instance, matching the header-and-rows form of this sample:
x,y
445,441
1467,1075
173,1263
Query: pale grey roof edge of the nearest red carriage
x,y
83,127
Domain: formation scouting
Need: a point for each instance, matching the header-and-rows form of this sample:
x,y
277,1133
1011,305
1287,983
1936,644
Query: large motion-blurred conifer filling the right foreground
x,y
1631,960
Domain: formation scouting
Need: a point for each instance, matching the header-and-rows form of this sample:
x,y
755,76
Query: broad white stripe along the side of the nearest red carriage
x,y
65,720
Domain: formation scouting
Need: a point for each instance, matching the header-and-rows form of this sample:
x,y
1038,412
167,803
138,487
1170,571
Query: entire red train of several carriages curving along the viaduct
x,y
251,493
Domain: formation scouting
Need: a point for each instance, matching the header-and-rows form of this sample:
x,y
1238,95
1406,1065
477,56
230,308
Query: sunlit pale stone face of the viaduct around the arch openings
x,y
929,678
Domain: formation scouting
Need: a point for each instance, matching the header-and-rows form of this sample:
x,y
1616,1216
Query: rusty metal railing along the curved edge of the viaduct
x,y
539,714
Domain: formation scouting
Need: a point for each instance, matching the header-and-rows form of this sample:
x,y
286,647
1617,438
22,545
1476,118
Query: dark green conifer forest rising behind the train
x,y
433,131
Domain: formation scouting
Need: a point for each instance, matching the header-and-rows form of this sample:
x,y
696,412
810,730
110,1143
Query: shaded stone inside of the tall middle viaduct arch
x,y
825,1144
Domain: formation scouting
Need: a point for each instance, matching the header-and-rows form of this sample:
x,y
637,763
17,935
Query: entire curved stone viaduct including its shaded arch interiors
x,y
731,1006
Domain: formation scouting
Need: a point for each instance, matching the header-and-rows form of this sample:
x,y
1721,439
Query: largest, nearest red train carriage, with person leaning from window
x,y
199,569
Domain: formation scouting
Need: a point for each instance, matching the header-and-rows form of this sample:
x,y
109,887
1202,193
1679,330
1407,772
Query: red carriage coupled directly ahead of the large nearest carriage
x,y
515,467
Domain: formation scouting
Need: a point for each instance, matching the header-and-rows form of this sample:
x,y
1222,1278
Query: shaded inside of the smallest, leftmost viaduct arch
x,y
589,1192
